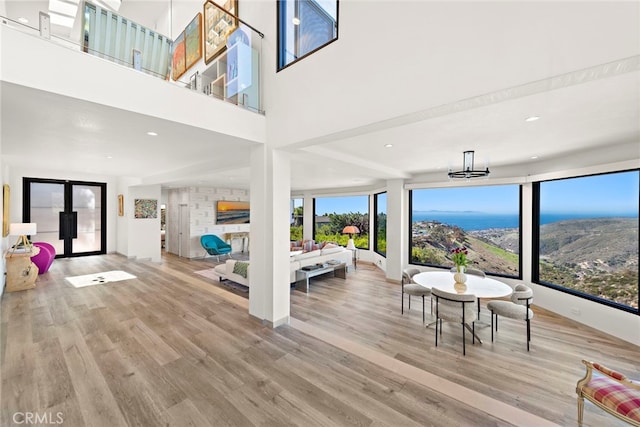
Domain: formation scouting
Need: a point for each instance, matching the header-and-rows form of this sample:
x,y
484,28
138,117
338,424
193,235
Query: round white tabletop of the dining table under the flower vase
x,y
481,287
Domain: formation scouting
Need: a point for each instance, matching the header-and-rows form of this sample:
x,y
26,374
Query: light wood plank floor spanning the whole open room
x,y
174,348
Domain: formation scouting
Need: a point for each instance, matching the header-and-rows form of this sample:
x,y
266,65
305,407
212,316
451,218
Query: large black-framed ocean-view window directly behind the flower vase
x,y
483,219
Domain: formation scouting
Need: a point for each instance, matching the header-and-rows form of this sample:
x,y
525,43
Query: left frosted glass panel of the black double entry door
x,y
47,201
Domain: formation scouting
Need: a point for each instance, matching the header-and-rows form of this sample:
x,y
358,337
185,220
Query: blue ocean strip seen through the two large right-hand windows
x,y
471,221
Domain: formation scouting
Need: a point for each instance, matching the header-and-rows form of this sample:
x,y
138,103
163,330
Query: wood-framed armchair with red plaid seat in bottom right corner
x,y
610,391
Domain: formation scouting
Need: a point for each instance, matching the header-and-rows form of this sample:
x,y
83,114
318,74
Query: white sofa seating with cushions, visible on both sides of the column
x,y
319,256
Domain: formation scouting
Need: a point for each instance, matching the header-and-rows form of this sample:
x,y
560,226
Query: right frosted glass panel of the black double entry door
x,y
87,203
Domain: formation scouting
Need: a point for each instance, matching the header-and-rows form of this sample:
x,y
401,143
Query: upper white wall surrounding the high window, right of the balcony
x,y
409,56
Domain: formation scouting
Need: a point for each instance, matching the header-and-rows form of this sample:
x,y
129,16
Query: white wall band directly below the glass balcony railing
x,y
28,53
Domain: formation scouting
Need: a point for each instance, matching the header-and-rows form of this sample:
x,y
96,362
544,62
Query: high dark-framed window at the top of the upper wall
x,y
305,26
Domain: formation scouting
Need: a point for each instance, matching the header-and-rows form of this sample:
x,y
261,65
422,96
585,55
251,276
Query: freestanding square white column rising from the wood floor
x,y
269,244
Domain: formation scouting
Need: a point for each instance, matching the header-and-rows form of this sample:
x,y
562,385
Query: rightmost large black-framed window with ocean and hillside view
x,y
586,237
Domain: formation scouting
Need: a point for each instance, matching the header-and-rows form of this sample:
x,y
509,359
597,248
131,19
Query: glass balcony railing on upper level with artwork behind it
x,y
216,55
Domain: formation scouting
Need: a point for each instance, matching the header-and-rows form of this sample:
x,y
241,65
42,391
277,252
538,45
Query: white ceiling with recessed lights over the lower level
x,y
586,110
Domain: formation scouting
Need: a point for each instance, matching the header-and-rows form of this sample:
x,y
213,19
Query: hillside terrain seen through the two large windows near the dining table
x,y
595,256
